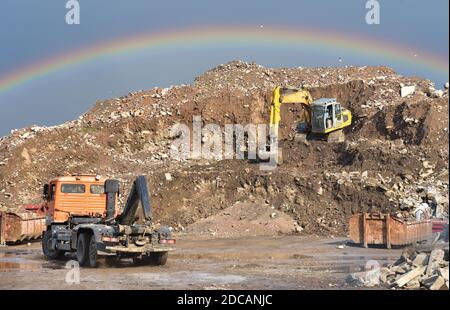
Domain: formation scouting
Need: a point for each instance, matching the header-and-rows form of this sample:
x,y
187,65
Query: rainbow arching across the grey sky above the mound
x,y
197,37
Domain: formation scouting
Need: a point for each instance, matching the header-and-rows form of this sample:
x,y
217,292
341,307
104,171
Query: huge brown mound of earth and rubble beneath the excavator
x,y
397,148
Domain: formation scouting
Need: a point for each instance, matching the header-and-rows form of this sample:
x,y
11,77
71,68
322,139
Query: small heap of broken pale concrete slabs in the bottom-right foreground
x,y
415,269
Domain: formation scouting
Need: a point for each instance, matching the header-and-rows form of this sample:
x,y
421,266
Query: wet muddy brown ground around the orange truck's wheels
x,y
270,262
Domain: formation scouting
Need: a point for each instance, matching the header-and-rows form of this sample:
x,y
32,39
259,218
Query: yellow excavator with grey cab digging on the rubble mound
x,y
323,118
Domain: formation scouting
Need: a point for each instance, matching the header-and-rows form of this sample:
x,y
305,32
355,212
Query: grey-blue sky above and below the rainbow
x,y
32,30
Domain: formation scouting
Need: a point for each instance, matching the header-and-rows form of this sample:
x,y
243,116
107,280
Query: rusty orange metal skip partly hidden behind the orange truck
x,y
17,227
